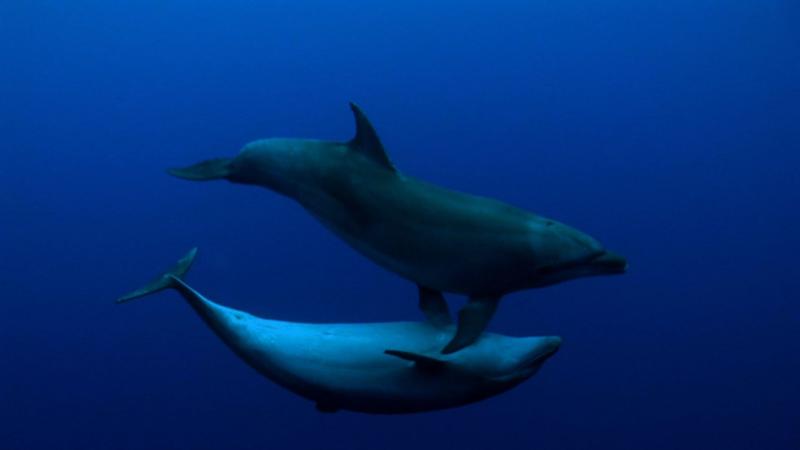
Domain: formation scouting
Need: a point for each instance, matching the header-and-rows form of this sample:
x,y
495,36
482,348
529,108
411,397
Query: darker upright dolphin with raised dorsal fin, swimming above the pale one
x,y
441,239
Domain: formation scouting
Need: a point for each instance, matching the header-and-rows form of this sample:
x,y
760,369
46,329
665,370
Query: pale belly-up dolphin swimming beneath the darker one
x,y
382,368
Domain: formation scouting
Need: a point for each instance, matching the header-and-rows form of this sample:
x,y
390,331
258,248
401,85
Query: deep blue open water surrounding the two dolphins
x,y
669,130
